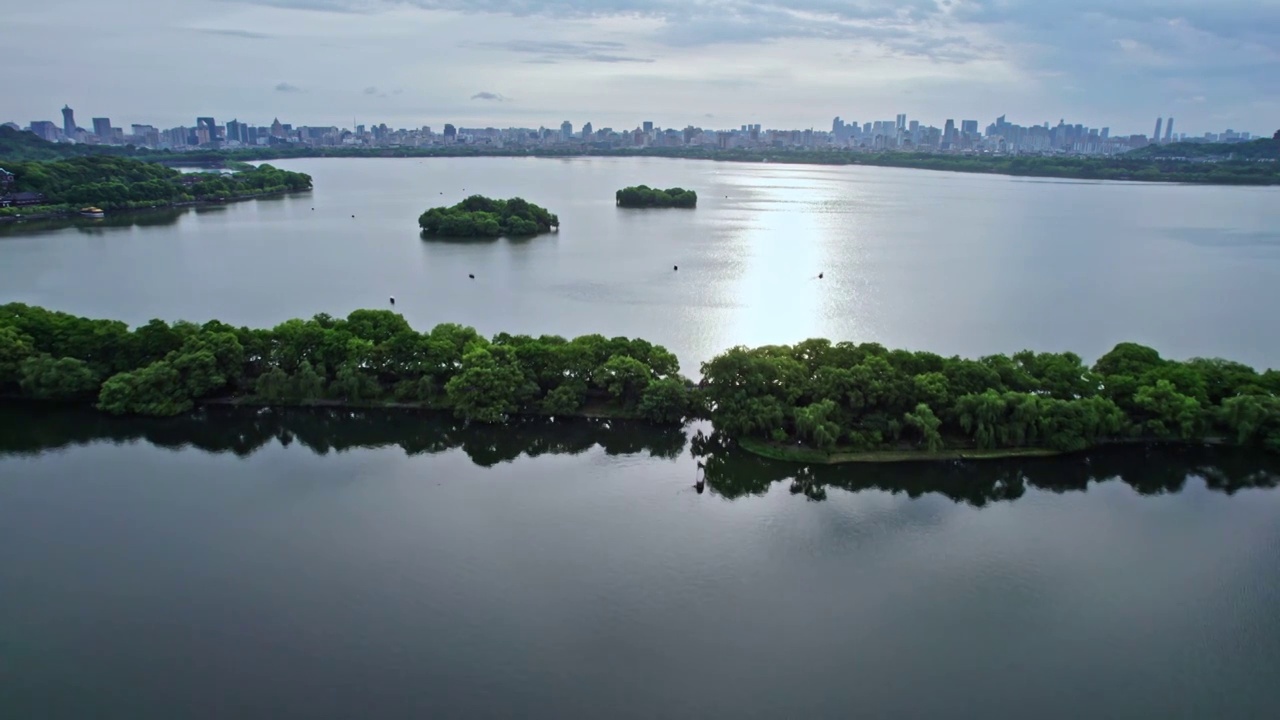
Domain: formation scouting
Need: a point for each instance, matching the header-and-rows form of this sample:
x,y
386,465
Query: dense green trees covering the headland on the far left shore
x,y
112,183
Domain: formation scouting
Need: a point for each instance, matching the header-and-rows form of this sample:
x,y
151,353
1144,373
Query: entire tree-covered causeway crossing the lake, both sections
x,y
816,402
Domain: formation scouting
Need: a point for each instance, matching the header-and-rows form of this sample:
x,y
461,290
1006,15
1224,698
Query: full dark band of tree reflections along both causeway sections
x,y
719,467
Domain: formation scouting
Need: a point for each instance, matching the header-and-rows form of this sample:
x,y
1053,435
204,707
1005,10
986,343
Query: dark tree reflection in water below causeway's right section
x,y
734,473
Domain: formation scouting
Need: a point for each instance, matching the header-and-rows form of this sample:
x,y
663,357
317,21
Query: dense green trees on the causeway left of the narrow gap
x,y
372,357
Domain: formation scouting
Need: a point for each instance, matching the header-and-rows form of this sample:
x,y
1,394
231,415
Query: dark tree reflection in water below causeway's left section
x,y
36,429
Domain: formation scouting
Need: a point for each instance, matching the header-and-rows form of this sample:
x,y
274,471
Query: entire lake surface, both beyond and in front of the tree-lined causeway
x,y
376,564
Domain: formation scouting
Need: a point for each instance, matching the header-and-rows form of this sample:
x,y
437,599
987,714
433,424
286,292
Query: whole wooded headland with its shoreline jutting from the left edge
x,y
94,185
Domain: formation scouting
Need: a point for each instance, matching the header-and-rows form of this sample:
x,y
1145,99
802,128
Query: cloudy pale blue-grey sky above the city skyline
x,y
714,63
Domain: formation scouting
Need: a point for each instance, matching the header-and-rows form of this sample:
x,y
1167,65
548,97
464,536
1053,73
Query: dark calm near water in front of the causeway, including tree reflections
x,y
371,566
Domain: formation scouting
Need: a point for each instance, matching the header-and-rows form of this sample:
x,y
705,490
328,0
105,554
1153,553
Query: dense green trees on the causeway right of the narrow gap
x,y
865,398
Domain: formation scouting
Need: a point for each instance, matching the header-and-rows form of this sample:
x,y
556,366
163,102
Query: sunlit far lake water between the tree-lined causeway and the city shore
x,y
952,263
